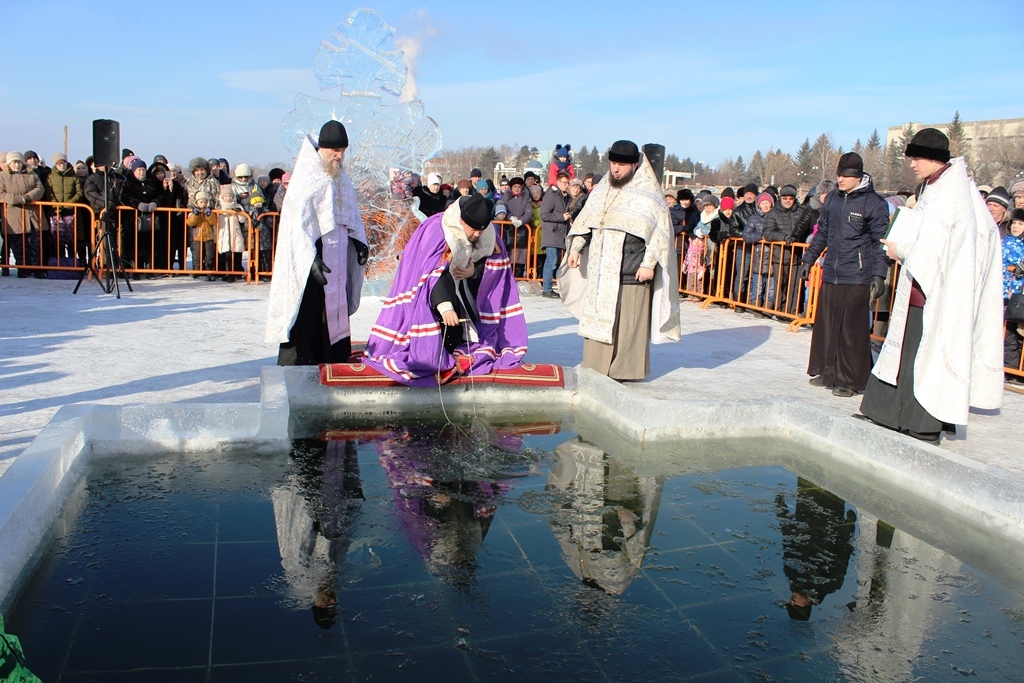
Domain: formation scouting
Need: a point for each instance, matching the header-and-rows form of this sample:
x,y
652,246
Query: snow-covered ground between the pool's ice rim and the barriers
x,y
183,340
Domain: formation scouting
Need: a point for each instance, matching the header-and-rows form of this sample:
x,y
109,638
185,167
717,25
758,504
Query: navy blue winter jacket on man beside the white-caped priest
x,y
851,225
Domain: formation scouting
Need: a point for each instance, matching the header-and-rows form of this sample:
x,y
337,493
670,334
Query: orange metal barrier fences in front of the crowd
x,y
59,240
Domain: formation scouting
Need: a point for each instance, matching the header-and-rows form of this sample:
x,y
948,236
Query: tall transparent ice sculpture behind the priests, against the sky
x,y
387,138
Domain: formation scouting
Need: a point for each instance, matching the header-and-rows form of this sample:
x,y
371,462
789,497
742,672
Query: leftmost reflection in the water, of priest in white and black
x,y
316,515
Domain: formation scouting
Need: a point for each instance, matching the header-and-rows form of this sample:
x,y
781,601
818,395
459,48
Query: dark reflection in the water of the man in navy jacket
x,y
818,542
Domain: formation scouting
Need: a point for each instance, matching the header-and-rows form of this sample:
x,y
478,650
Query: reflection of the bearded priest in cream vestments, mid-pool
x,y
606,523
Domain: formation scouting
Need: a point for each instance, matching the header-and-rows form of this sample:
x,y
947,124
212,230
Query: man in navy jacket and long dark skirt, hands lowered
x,y
852,224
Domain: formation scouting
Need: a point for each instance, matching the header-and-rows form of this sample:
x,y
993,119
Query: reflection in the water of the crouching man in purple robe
x,y
447,487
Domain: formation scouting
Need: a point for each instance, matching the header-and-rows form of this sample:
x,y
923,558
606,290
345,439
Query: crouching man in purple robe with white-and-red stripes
x,y
454,308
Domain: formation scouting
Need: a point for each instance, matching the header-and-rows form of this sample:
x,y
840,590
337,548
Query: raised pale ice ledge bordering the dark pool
x,y
37,485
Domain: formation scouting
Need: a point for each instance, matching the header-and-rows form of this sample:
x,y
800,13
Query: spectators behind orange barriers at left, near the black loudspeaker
x,y
131,197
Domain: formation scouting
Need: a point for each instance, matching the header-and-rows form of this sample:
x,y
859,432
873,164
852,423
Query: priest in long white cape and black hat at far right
x,y
944,353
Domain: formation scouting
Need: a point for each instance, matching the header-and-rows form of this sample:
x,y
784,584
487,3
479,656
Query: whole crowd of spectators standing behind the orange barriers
x,y
771,226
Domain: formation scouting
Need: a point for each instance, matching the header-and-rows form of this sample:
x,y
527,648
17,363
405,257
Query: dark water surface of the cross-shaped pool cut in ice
x,y
534,568
